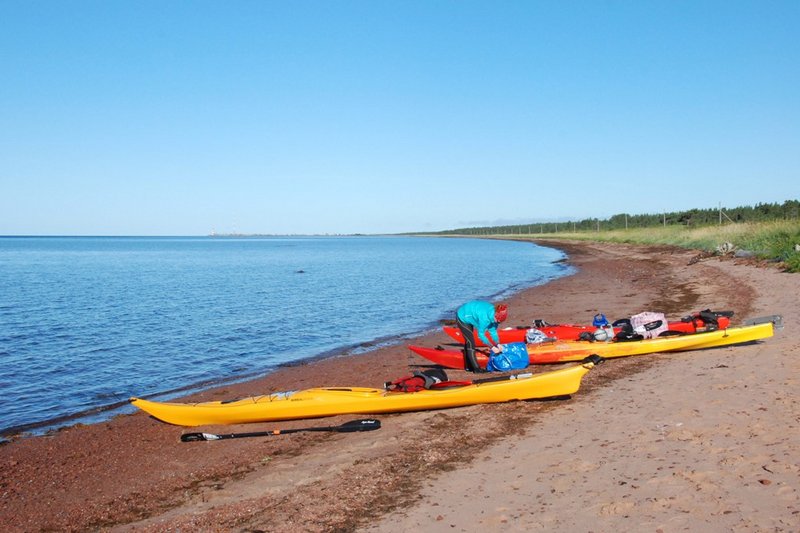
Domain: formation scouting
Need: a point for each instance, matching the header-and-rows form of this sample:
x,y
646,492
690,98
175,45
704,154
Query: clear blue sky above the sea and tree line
x,y
182,118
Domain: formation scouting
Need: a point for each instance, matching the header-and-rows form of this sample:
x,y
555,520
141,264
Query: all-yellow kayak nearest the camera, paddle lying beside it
x,y
332,401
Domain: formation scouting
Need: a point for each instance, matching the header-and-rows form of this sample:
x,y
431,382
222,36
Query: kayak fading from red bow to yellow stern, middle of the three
x,y
564,351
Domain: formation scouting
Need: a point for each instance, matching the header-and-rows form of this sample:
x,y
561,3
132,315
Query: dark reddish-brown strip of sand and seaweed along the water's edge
x,y
132,472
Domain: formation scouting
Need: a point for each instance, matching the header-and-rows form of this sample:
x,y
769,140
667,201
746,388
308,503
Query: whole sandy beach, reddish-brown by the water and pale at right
x,y
700,441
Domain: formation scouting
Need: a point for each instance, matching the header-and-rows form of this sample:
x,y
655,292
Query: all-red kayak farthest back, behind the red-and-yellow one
x,y
572,332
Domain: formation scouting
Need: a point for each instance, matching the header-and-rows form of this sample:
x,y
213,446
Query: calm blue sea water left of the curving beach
x,y
86,323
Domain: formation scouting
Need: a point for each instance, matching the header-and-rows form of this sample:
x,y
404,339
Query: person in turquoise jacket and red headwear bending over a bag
x,y
481,316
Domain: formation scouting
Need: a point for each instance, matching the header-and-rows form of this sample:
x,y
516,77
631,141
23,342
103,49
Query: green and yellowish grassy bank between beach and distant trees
x,y
773,241
